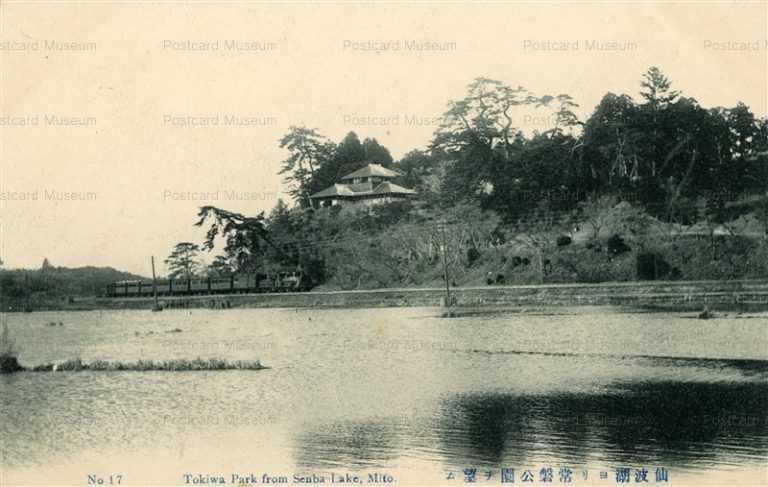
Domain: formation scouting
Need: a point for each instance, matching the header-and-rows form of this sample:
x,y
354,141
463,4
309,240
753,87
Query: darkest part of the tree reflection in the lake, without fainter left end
x,y
663,422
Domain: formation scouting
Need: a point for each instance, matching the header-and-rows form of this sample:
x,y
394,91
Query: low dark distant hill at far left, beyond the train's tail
x,y
21,287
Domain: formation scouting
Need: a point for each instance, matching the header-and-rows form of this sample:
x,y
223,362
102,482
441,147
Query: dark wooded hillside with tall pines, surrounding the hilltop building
x,y
654,187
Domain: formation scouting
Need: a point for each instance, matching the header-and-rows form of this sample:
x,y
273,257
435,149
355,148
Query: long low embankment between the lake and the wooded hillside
x,y
747,295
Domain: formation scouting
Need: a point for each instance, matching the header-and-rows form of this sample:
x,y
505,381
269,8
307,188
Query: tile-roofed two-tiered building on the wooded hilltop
x,y
370,185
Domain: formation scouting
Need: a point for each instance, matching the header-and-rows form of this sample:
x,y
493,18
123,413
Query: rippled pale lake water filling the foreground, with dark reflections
x,y
397,392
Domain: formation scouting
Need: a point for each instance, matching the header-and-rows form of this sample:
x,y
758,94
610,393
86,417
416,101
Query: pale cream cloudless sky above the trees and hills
x,y
119,120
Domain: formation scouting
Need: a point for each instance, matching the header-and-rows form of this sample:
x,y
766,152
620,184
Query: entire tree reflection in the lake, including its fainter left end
x,y
675,424
